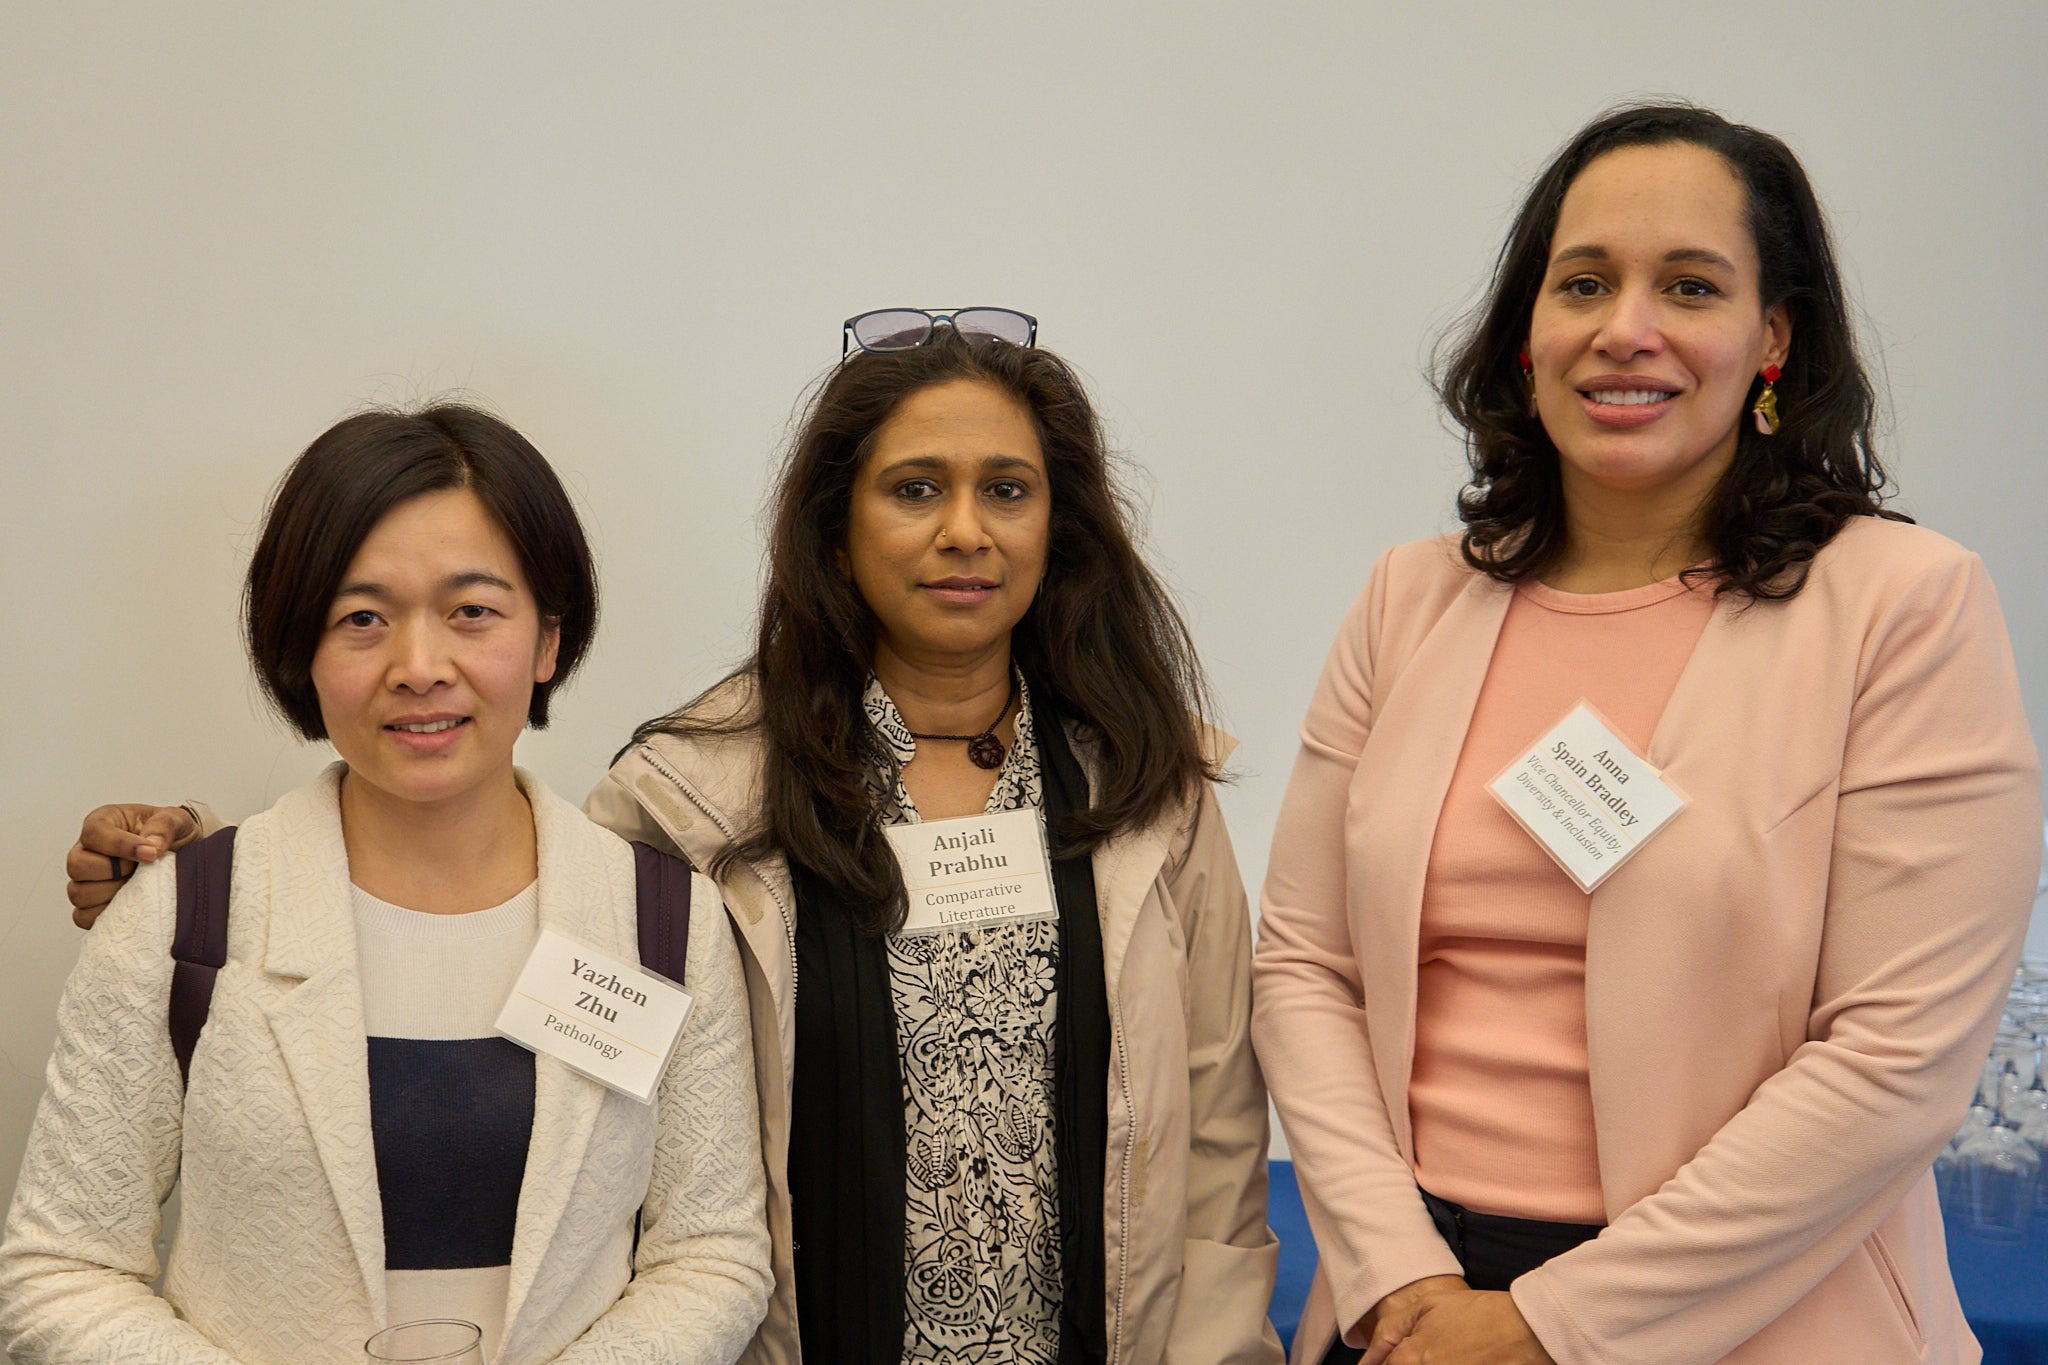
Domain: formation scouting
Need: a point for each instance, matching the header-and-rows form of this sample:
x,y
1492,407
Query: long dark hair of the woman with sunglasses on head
x,y
1101,642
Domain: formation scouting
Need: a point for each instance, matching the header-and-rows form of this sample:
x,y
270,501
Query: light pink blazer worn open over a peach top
x,y
1789,992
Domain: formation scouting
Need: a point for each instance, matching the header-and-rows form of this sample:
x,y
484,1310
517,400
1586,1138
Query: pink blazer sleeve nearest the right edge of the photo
x,y
1932,842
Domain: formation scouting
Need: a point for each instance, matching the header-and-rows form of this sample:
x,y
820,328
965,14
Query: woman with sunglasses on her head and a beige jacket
x,y
1031,1139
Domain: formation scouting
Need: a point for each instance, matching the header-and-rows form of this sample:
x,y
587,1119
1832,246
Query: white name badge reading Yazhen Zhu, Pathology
x,y
605,1018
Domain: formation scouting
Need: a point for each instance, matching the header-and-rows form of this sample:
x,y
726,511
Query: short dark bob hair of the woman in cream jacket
x,y
349,480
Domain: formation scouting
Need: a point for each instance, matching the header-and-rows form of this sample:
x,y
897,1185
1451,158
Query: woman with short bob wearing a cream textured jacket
x,y
419,588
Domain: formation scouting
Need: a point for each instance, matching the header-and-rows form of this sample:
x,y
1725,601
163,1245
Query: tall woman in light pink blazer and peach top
x,y
1687,1116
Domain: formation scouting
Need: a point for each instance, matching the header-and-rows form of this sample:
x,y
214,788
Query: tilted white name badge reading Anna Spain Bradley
x,y
1586,797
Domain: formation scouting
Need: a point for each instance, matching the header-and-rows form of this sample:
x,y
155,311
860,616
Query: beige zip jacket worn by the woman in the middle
x,y
1191,1262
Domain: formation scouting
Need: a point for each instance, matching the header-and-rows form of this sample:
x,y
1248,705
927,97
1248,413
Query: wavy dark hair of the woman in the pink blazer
x,y
1783,496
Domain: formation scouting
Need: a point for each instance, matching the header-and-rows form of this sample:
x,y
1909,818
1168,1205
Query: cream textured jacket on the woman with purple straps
x,y
280,1253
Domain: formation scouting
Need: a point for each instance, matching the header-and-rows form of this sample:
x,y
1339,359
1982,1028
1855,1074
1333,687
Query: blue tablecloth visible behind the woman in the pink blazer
x,y
2004,1288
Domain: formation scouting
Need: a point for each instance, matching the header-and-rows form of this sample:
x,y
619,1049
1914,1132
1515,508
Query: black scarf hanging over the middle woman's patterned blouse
x,y
847,1127
